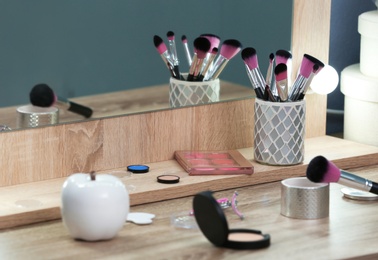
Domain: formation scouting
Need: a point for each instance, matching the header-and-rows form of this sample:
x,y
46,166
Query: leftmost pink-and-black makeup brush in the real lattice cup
x,y
249,57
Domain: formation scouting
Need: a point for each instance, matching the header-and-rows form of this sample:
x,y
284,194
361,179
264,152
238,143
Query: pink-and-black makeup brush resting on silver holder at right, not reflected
x,y
321,170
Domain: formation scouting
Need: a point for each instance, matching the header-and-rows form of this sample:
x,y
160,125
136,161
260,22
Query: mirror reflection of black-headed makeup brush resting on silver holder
x,y
42,95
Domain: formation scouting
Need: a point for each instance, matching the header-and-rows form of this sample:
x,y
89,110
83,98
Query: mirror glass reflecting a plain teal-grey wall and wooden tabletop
x,y
89,48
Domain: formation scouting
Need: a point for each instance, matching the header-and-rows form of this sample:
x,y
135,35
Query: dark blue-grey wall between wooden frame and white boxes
x,y
344,50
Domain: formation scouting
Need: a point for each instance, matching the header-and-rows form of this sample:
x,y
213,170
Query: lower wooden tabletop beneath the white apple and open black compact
x,y
350,231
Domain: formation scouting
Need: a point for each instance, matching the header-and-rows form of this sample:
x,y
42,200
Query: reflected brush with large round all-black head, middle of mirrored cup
x,y
201,48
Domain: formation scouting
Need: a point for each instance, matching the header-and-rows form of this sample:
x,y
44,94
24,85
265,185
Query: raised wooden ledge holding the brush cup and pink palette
x,y
40,201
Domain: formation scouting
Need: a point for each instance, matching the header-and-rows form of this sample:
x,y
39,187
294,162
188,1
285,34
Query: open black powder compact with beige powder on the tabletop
x,y
213,224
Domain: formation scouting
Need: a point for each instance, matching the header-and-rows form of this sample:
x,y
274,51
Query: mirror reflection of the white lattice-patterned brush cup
x,y
187,93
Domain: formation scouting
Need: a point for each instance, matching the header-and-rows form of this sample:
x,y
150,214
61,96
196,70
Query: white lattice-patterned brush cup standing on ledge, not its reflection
x,y
279,132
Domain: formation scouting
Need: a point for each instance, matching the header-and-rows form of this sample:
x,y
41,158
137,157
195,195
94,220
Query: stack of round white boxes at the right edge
x,y
359,84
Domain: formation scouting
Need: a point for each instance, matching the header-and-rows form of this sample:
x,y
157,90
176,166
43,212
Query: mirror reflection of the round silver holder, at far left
x,y
32,116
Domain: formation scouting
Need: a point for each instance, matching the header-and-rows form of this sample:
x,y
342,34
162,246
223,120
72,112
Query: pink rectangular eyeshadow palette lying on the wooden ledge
x,y
214,162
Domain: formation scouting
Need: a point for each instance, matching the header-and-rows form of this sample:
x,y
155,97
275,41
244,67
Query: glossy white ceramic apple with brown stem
x,y
94,207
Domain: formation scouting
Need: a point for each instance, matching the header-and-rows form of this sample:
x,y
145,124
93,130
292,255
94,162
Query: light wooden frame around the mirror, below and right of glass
x,y
31,155
